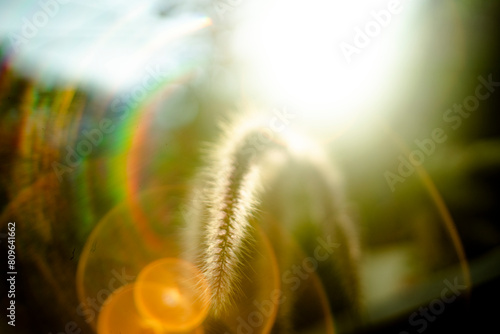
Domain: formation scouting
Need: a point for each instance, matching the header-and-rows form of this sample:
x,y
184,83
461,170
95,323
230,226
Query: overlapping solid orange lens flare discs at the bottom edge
x,y
169,296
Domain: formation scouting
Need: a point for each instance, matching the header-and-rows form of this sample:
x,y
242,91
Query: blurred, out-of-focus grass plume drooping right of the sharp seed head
x,y
307,198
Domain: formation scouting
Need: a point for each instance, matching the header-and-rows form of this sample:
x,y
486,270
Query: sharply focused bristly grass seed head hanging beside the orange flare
x,y
229,190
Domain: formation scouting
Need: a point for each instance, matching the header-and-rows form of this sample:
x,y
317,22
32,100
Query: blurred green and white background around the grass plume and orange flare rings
x,y
165,73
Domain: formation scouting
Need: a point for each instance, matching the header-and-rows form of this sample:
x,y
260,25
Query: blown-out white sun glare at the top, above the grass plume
x,y
329,60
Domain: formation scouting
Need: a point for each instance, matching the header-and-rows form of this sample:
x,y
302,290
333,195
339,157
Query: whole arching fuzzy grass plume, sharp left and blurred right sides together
x,y
302,191
